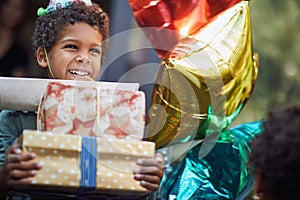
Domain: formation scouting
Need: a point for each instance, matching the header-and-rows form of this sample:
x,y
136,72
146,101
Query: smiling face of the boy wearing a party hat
x,y
76,55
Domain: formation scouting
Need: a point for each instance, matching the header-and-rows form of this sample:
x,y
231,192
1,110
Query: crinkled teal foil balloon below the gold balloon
x,y
223,174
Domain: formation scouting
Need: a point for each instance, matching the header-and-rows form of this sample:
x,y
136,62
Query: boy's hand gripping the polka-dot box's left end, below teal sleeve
x,y
18,168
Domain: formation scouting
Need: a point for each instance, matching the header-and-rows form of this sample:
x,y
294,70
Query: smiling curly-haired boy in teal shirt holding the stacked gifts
x,y
69,43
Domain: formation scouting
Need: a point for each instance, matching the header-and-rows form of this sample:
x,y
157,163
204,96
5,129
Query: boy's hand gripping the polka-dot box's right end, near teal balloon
x,y
150,172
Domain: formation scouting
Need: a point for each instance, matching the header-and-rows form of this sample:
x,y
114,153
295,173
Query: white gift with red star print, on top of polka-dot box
x,y
93,111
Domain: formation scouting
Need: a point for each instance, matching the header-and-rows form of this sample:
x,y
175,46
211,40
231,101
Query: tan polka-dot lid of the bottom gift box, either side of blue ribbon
x,y
49,140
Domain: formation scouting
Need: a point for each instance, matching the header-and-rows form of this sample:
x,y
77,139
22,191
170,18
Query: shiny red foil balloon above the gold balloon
x,y
174,19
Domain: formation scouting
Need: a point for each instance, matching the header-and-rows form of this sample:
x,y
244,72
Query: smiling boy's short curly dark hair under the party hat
x,y
49,26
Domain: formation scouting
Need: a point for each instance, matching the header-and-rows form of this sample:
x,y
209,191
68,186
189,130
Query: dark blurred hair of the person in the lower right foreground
x,y
275,153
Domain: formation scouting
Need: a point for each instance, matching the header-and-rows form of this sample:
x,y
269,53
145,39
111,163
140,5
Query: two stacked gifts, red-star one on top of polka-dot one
x,y
88,139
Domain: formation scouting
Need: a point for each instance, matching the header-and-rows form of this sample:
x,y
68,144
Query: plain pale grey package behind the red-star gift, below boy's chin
x,y
25,93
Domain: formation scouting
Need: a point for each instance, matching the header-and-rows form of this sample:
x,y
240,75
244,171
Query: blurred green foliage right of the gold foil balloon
x,y
276,38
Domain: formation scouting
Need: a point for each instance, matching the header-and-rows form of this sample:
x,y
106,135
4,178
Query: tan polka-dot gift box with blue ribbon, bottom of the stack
x,y
87,165
